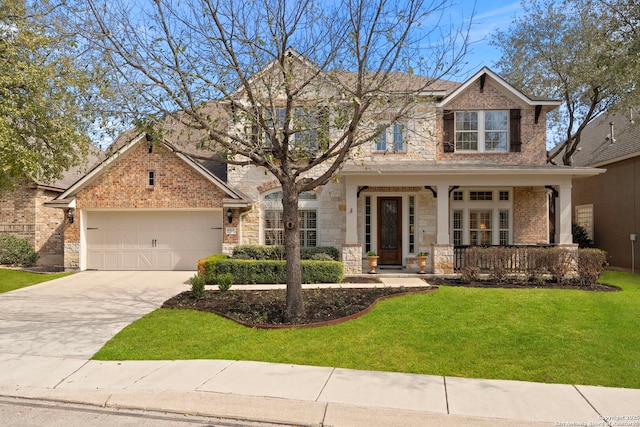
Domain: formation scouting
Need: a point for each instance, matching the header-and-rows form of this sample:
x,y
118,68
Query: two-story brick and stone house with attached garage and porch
x,y
467,168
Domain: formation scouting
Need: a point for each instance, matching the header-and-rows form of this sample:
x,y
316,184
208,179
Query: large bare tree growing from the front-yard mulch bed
x,y
289,86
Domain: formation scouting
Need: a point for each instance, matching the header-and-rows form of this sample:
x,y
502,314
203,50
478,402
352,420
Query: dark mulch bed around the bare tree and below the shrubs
x,y
265,309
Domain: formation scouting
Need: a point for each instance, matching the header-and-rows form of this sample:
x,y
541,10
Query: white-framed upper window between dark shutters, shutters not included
x,y
481,130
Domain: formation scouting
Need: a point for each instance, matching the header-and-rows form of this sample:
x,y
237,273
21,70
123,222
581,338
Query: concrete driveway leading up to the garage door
x,y
74,316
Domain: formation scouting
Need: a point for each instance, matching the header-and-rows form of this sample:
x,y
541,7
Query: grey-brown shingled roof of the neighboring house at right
x,y
596,147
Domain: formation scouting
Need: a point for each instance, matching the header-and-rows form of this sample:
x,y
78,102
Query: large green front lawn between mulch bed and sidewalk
x,y
552,336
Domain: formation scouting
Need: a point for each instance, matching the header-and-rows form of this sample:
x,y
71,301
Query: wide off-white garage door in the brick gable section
x,y
152,240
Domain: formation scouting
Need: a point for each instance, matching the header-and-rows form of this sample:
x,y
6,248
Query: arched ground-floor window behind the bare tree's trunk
x,y
272,225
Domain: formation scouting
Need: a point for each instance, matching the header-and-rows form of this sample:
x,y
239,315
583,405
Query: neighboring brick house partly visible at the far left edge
x,y
23,214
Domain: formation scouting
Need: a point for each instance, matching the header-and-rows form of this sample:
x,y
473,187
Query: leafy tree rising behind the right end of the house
x,y
576,51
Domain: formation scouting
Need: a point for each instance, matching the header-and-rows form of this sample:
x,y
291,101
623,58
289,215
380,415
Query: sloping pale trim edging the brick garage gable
x,y
126,142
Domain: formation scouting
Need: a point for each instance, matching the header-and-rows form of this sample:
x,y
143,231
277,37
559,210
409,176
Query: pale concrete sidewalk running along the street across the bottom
x,y
312,396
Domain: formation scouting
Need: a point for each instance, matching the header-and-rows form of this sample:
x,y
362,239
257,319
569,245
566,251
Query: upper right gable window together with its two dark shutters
x,y
481,131
